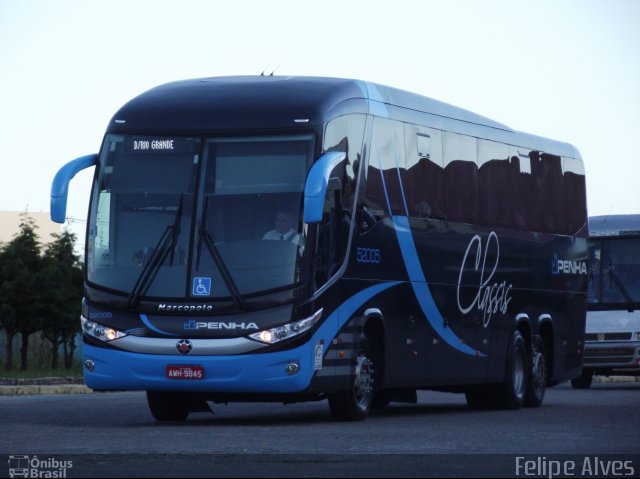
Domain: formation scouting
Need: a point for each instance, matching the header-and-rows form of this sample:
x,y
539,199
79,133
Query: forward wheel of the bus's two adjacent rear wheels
x,y
511,394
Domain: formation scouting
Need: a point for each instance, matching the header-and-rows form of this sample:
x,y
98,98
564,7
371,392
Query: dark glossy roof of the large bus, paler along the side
x,y
277,102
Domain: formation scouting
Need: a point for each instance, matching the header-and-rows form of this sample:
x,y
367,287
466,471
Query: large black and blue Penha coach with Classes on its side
x,y
297,238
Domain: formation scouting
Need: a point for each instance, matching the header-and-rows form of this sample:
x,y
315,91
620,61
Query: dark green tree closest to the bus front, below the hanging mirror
x,y
60,306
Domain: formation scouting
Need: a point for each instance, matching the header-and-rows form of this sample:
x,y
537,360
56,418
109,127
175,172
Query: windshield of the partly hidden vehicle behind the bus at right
x,y
615,271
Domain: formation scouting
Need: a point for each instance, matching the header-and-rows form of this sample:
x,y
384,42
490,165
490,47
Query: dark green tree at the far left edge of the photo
x,y
20,291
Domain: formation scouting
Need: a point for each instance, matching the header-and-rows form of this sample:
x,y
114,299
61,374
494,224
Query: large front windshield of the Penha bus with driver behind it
x,y
198,218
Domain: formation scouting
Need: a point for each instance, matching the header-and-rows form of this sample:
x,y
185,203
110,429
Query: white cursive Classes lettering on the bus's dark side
x,y
489,298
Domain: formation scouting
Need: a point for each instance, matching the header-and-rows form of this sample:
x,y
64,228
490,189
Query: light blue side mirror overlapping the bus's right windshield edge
x,y
318,181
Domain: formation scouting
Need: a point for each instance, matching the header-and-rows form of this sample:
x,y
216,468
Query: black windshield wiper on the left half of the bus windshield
x,y
158,256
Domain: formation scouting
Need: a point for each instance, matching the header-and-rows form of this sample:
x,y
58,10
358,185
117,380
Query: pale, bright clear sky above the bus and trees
x,y
563,69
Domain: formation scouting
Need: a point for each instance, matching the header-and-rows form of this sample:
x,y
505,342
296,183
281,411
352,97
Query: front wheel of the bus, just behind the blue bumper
x,y
355,403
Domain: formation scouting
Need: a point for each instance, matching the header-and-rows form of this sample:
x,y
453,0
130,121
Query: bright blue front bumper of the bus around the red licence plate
x,y
250,373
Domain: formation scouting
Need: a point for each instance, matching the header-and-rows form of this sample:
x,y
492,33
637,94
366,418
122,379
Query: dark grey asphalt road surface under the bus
x,y
114,435
